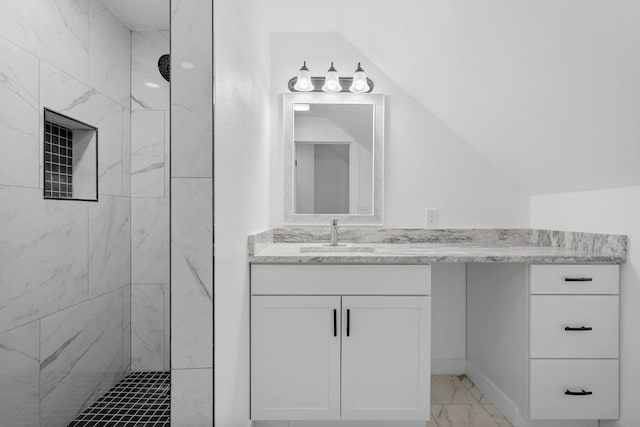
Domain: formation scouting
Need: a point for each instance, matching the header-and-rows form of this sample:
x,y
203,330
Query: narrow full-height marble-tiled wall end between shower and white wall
x,y
191,213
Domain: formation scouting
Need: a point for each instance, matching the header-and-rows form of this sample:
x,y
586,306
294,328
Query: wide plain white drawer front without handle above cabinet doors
x,y
327,279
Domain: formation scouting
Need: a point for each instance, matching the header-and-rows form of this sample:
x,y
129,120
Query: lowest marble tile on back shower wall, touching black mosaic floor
x,y
147,327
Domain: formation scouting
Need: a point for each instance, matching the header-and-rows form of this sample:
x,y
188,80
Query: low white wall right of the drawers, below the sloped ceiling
x,y
615,211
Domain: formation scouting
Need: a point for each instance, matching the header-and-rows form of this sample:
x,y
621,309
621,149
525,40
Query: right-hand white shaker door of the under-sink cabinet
x,y
385,357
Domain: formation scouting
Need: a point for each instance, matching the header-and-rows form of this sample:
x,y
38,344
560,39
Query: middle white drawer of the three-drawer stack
x,y
552,314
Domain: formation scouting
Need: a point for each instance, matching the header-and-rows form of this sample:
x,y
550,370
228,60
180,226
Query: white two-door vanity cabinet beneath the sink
x,y
340,342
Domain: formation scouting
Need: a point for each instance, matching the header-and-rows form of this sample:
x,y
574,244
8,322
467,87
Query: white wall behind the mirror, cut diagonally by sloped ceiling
x,y
426,163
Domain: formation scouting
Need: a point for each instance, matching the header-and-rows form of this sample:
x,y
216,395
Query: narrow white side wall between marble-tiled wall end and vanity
x,y
242,166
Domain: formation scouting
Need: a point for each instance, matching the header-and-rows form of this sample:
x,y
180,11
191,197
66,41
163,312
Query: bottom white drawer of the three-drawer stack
x,y
552,380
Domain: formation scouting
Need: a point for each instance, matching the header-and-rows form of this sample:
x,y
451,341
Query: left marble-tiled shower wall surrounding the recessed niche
x,y
64,265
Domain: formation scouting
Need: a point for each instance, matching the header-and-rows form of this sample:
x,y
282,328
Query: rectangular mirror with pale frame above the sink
x,y
334,158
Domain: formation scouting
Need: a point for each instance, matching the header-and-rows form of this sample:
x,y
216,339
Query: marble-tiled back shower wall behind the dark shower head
x,y
150,203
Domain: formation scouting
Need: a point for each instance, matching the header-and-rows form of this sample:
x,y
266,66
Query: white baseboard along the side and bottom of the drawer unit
x,y
512,412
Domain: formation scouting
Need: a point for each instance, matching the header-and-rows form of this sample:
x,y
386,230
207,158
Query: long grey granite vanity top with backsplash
x,y
427,246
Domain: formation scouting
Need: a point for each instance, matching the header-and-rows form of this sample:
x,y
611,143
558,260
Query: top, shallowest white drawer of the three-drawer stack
x,y
574,279
